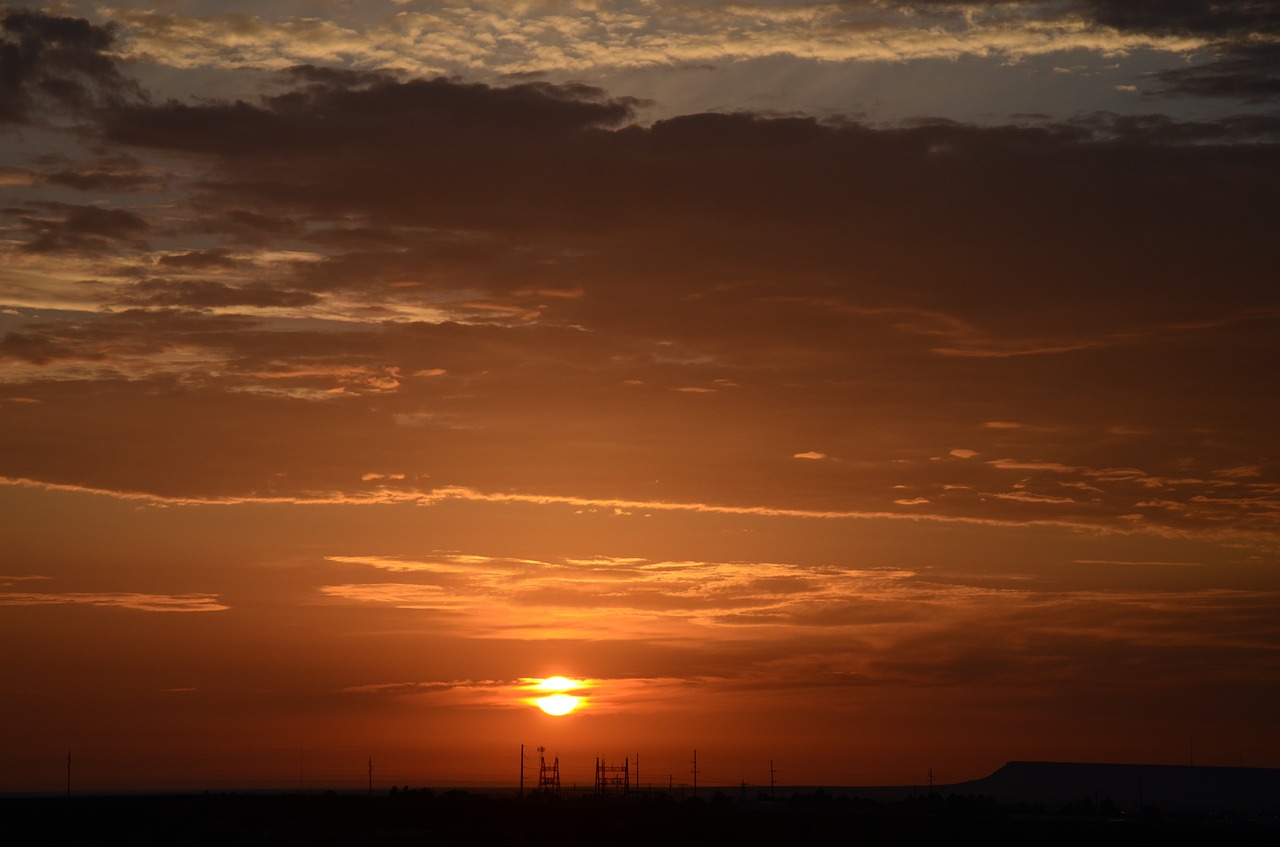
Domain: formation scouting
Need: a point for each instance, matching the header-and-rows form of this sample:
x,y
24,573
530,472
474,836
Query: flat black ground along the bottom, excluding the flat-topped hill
x,y
429,818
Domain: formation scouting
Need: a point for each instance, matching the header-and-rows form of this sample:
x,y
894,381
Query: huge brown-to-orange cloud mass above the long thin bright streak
x,y
593,306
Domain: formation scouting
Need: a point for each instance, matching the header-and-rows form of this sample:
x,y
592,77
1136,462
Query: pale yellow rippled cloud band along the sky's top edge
x,y
624,35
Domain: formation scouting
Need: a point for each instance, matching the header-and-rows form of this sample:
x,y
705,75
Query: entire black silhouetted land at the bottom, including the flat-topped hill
x,y
1022,803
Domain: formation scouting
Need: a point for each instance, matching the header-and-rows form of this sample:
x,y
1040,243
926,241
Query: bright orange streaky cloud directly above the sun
x,y
597,599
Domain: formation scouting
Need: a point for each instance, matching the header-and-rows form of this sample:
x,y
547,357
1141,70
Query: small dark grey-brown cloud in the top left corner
x,y
58,62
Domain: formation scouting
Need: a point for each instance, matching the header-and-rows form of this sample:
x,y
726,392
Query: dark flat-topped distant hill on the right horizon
x,y
1173,789
